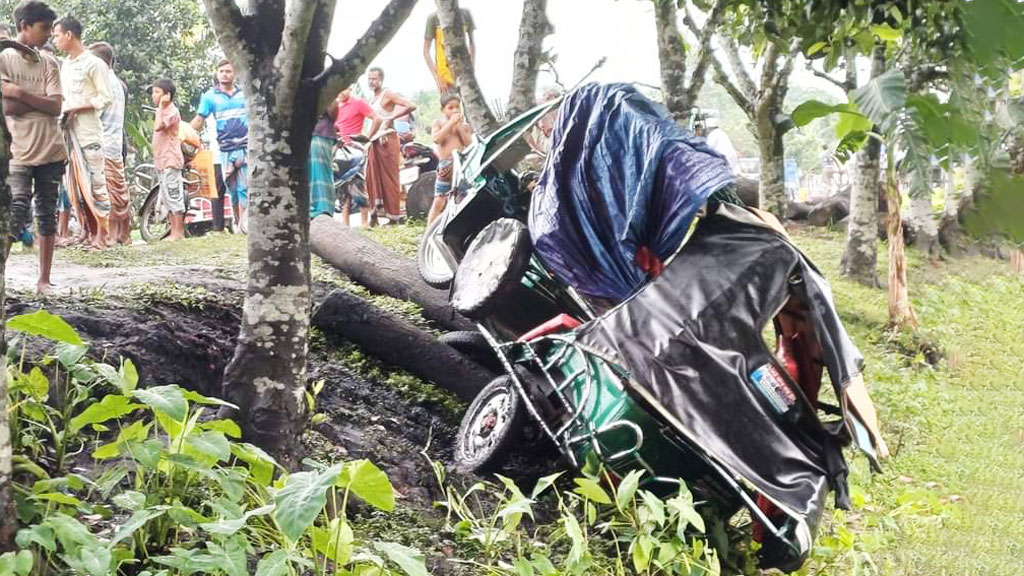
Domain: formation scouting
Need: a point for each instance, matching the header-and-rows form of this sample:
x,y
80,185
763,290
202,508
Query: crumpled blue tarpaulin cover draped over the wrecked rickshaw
x,y
622,178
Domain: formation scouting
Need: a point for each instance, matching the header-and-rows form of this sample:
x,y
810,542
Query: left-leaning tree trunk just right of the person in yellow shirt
x,y
474,102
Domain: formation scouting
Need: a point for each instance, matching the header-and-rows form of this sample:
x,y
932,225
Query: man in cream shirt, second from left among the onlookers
x,y
87,90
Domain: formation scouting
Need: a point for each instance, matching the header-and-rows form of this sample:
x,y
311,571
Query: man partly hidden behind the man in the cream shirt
x,y
113,120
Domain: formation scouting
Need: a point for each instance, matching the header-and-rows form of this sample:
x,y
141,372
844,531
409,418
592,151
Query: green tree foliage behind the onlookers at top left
x,y
151,39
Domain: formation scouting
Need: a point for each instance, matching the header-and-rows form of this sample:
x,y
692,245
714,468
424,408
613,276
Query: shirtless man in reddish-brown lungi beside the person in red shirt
x,y
385,161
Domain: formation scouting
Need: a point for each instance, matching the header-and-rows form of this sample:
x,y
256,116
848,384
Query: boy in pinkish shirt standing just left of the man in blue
x,y
167,154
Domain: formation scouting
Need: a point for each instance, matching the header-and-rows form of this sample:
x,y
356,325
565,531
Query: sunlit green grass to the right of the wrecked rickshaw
x,y
951,499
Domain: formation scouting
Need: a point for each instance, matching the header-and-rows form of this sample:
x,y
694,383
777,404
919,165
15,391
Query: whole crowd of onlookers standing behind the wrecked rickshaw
x,y
66,117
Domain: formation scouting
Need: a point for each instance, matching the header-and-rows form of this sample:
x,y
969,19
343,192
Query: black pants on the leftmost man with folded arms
x,y
41,183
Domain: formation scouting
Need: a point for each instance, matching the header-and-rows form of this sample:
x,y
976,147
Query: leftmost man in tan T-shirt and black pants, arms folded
x,y
32,100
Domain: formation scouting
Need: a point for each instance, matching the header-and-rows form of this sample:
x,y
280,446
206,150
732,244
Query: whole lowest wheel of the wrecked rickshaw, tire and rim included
x,y
491,428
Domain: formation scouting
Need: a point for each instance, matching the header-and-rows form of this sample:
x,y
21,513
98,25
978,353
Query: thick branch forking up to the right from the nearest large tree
x,y
344,72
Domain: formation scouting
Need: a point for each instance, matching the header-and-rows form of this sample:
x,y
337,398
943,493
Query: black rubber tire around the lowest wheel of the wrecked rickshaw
x,y
510,435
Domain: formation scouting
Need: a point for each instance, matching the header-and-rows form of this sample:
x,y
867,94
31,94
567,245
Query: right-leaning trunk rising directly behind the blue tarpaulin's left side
x,y
533,29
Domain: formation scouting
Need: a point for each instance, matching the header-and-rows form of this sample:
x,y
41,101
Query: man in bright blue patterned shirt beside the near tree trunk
x,y
228,105
